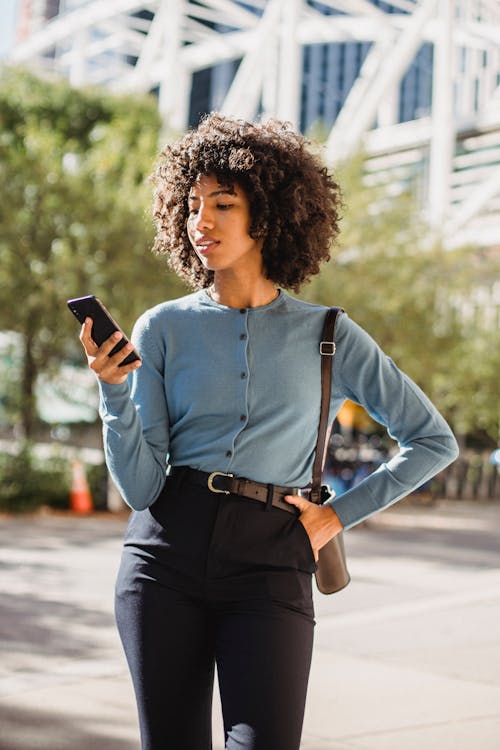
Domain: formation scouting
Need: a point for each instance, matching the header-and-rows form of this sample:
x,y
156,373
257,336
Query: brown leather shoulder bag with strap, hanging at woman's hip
x,y
332,574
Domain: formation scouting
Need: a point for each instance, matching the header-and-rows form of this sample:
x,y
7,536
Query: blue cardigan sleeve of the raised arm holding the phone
x,y
135,425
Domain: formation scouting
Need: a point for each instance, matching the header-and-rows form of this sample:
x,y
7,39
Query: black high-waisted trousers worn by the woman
x,y
211,579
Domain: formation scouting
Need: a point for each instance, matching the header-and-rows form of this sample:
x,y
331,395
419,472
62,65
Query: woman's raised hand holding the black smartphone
x,y
107,368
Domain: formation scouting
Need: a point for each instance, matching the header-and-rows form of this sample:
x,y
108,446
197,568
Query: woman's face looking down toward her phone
x,y
218,224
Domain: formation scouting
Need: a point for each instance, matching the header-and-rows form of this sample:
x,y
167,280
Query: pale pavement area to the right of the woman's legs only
x,y
409,656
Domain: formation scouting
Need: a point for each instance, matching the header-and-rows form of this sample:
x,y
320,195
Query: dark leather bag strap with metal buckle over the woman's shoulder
x,y
327,349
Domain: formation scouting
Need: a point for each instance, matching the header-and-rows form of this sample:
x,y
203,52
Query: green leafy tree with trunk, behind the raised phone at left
x,y
74,218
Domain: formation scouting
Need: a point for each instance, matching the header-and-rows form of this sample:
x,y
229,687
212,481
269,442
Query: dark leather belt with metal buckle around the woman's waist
x,y
228,484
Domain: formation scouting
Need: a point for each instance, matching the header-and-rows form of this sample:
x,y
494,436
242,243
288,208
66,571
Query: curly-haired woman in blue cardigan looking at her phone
x,y
230,385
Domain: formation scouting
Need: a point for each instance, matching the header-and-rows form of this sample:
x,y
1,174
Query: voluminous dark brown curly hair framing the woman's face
x,y
294,202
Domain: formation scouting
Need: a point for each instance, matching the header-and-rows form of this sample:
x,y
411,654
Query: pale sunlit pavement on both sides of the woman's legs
x,y
406,657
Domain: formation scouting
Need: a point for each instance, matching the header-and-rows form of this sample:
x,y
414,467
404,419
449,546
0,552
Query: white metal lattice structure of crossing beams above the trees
x,y
455,149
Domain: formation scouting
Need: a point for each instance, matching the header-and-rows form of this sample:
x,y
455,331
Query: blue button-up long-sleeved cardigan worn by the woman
x,y
224,389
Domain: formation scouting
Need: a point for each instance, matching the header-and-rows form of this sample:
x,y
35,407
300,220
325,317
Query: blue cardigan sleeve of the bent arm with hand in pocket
x,y
365,375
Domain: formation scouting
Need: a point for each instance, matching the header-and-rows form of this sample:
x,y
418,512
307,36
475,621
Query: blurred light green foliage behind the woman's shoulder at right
x,y
411,294
